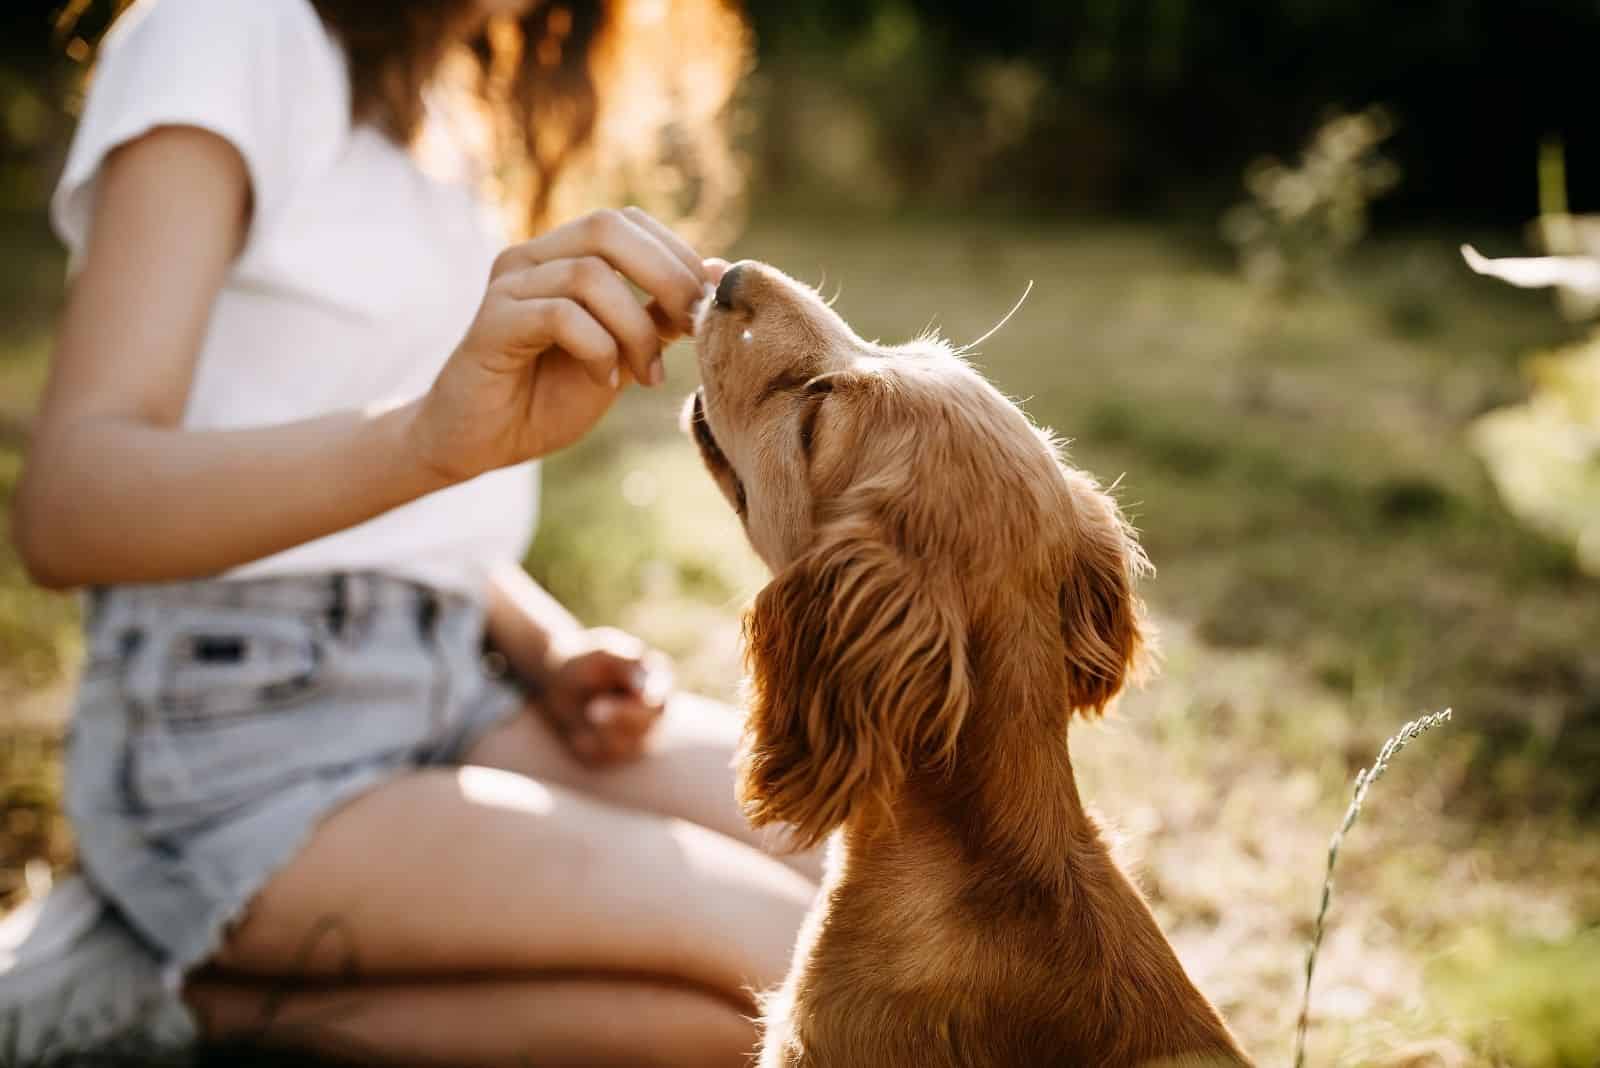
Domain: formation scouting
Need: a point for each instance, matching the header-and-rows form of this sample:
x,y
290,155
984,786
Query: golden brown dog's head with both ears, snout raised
x,y
921,532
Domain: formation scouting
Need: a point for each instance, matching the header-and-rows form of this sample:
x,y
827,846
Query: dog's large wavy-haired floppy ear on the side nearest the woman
x,y
858,672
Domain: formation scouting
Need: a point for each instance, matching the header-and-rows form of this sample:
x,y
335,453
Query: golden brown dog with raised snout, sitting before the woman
x,y
948,592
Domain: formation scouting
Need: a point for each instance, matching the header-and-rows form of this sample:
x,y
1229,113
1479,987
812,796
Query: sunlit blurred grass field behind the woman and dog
x,y
1330,557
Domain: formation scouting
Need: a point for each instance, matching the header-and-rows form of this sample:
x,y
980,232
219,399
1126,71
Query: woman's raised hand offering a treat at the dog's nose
x,y
556,338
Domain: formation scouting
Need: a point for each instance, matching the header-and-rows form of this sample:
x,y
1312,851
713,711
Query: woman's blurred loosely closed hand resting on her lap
x,y
602,693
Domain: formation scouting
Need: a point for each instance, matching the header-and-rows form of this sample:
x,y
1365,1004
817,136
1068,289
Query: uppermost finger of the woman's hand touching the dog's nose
x,y
623,244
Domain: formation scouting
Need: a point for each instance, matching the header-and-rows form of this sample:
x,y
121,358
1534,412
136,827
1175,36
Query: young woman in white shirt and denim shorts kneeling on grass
x,y
287,447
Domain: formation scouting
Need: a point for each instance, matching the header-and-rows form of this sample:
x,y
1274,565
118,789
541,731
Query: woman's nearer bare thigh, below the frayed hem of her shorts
x,y
474,871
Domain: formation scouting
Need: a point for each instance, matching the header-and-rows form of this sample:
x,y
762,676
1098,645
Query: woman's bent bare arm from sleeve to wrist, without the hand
x,y
113,492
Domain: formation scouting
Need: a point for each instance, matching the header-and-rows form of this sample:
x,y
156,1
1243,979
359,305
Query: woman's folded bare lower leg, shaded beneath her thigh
x,y
540,1021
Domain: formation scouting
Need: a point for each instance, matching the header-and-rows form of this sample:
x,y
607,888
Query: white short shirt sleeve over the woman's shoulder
x,y
260,74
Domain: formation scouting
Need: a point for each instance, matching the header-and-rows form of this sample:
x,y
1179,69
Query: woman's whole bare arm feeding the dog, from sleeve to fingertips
x,y
114,492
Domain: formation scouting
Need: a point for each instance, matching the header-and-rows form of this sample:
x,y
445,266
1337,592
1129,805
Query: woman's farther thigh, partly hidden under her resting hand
x,y
687,771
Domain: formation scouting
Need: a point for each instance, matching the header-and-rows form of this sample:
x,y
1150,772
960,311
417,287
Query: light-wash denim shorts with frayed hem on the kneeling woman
x,y
218,722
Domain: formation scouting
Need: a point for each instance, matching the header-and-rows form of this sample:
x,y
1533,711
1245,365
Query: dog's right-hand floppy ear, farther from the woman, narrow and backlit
x,y
1102,618
